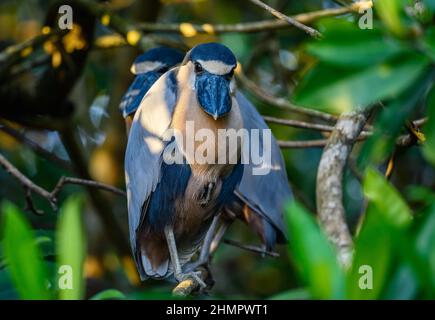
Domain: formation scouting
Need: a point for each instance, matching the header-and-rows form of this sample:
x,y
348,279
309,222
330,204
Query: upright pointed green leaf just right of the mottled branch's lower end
x,y
372,258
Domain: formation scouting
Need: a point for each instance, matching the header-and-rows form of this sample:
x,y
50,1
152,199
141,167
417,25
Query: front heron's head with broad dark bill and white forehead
x,y
212,66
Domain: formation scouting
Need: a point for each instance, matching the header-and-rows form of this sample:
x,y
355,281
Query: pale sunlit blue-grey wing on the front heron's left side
x,y
145,146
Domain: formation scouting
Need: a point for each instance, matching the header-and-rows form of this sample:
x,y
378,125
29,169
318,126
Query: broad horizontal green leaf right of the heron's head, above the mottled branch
x,y
339,90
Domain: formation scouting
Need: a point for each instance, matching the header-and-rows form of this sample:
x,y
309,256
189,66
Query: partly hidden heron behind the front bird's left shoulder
x,y
147,67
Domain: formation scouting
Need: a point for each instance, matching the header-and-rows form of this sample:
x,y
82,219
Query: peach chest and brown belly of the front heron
x,y
212,149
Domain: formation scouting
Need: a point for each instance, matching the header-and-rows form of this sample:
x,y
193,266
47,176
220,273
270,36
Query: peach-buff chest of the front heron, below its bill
x,y
209,146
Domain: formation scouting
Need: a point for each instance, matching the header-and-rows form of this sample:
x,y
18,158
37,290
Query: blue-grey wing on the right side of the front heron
x,y
265,194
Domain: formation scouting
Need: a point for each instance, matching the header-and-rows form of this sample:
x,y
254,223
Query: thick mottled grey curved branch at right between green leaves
x,y
329,189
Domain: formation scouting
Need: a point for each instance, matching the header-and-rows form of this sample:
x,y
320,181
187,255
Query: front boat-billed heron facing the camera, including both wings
x,y
173,207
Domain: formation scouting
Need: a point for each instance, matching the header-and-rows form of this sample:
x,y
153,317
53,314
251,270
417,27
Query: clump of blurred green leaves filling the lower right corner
x,y
394,248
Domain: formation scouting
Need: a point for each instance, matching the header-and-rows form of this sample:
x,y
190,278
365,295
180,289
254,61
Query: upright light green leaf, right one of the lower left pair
x,y
71,249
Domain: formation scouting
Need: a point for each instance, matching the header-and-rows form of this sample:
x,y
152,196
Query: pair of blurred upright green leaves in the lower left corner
x,y
23,253
